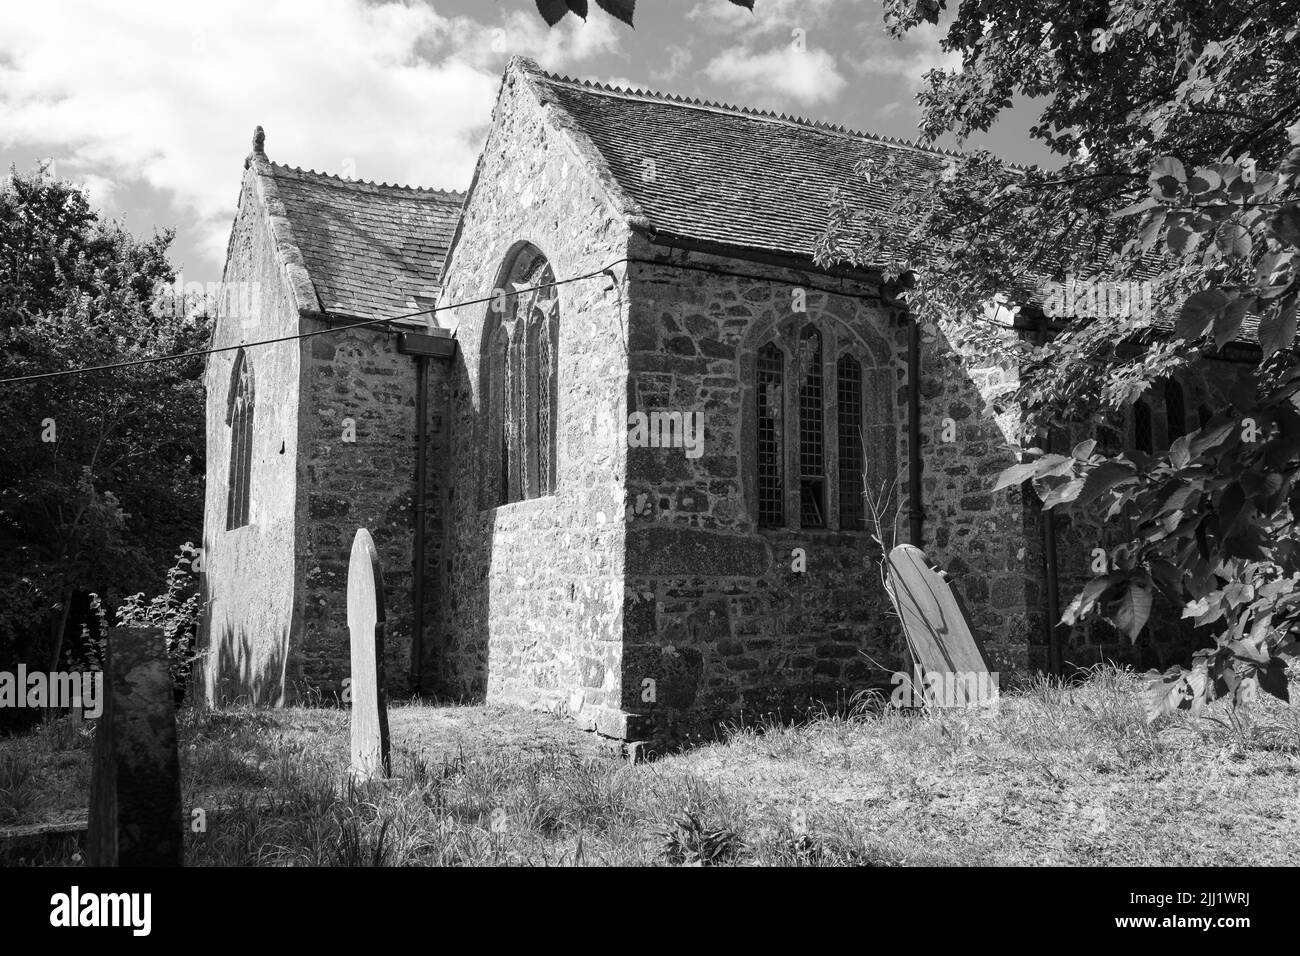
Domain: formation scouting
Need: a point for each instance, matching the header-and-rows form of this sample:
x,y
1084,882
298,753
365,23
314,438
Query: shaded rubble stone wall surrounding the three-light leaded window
x,y
721,616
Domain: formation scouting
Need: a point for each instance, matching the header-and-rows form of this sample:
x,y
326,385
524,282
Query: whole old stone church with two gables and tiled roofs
x,y
608,423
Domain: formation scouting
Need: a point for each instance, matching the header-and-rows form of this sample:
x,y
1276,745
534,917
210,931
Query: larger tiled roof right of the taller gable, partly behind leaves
x,y
727,175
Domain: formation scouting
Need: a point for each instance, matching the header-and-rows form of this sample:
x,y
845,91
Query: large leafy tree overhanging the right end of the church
x,y
1180,154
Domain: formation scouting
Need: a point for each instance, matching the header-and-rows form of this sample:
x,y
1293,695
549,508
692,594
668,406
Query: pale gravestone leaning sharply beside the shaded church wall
x,y
934,620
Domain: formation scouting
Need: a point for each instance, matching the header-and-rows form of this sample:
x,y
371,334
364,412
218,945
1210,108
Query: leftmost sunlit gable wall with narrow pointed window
x,y
249,576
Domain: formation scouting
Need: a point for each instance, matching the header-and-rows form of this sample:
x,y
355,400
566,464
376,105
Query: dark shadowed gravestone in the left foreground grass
x,y
135,814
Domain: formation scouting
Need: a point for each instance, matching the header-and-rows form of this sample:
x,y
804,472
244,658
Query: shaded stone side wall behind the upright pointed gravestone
x,y
357,470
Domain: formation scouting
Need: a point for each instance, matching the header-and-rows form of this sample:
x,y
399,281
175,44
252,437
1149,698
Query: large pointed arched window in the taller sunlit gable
x,y
521,380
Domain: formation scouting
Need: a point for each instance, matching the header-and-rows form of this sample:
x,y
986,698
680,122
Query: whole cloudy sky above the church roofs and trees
x,y
151,105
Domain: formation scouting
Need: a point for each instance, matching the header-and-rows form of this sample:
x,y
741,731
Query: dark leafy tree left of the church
x,y
102,473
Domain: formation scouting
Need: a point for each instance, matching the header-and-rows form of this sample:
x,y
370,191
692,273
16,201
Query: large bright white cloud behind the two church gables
x,y
166,96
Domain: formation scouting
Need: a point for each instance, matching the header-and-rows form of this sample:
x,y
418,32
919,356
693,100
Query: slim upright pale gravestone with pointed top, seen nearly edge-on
x,y
366,626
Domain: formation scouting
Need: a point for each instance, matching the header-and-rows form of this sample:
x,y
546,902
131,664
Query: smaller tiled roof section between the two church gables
x,y
371,250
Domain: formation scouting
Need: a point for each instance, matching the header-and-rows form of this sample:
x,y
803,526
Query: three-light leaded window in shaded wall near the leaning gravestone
x,y
825,410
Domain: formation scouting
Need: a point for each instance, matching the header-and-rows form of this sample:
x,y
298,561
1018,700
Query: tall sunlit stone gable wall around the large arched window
x,y
536,609
